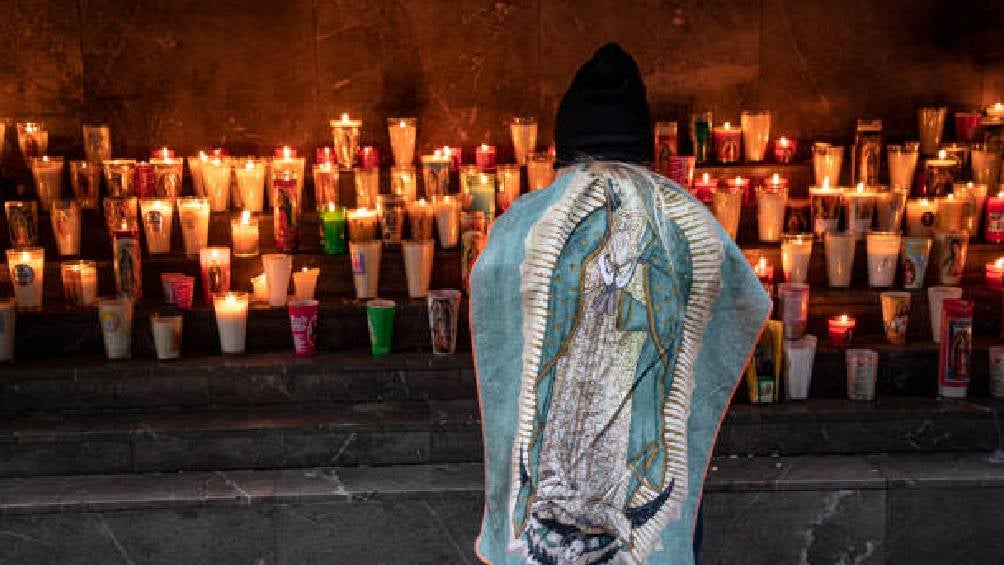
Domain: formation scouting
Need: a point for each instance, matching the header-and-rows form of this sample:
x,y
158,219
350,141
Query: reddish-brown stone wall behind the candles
x,y
249,75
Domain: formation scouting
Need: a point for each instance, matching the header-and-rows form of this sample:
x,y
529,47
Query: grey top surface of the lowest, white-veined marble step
x,y
243,488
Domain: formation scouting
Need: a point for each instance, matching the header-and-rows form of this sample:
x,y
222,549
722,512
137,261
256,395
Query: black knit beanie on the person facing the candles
x,y
605,114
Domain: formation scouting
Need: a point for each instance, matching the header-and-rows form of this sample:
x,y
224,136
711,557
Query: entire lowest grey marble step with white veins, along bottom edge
x,y
833,509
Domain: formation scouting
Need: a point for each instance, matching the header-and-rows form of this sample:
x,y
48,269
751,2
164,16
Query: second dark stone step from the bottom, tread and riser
x,y
443,432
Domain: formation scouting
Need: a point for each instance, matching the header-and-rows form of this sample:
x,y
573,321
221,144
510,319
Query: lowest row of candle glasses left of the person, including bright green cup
x,y
116,317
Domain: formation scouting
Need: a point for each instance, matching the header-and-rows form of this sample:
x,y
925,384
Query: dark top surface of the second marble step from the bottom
x,y
452,416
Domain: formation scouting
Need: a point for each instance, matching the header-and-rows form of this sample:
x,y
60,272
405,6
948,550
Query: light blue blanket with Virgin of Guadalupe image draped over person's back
x,y
612,321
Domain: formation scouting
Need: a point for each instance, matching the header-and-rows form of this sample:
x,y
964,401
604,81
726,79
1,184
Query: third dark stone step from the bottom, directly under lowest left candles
x,y
90,383
